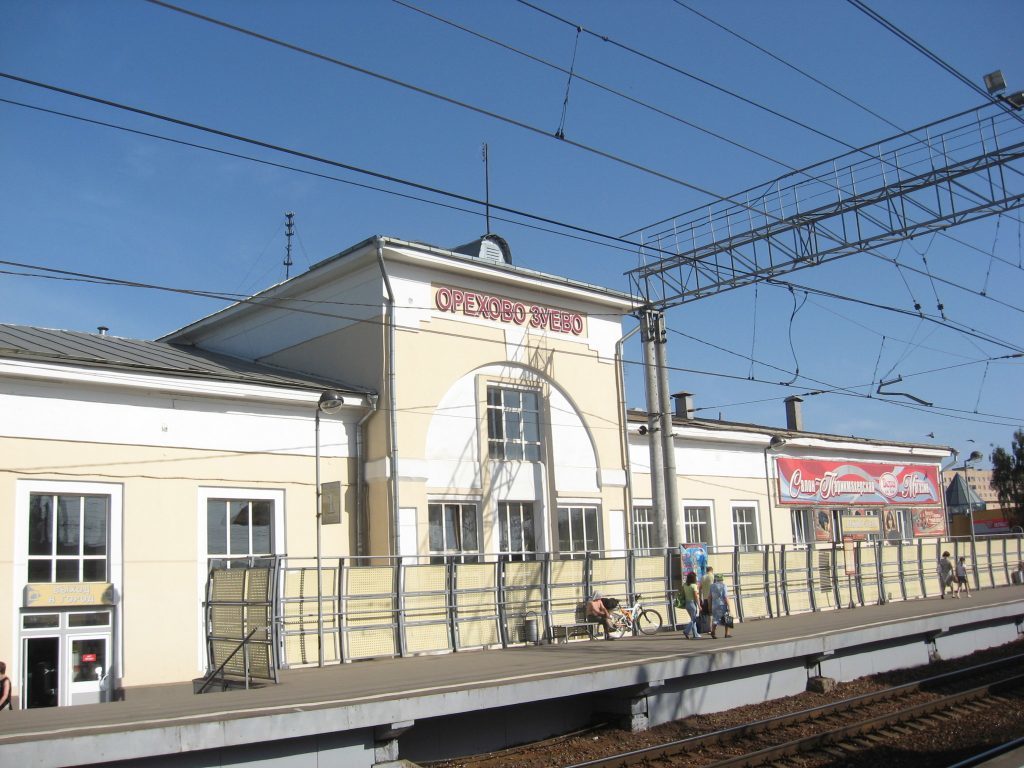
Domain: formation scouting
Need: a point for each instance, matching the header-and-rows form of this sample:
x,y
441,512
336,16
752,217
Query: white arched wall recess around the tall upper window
x,y
453,440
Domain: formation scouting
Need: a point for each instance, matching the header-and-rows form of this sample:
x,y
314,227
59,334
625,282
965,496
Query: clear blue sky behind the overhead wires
x,y
90,199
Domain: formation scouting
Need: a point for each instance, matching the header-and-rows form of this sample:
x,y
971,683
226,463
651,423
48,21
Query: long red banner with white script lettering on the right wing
x,y
814,482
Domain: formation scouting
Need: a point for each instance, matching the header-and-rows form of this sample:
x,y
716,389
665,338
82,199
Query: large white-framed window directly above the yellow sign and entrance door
x,y
69,538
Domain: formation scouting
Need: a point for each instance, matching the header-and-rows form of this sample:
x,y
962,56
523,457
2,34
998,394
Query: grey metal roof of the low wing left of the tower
x,y
97,351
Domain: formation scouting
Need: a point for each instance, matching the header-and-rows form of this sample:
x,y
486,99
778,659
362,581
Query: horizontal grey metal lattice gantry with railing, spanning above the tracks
x,y
950,173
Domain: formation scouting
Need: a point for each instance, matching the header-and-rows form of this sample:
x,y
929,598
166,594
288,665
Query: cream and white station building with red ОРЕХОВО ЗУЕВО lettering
x,y
398,412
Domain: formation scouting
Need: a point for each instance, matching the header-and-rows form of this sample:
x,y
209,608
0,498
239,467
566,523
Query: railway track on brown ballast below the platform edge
x,y
839,731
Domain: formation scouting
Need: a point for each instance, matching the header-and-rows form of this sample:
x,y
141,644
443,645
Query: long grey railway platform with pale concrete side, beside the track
x,y
430,707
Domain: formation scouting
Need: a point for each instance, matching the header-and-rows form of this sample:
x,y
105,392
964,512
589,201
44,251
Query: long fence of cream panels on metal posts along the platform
x,y
380,607
